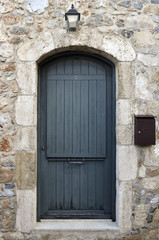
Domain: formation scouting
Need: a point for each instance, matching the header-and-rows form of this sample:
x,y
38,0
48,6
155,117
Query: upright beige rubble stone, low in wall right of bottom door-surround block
x,y
140,215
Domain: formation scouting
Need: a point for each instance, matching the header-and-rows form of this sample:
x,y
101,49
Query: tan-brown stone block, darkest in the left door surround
x,y
25,170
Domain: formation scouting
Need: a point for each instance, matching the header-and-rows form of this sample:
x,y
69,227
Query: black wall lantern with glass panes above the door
x,y
72,17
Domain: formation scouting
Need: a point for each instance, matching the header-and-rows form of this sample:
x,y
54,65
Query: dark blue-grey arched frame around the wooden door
x,y
113,120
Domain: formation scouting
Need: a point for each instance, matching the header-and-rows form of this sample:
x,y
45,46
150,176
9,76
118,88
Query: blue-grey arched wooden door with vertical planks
x,y
76,137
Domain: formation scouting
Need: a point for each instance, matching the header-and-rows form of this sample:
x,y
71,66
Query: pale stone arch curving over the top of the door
x,y
114,48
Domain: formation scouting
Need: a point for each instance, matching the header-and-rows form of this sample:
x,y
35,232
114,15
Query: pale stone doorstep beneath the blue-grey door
x,y
67,225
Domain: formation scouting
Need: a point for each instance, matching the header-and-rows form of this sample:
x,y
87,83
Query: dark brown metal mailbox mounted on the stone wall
x,y
145,130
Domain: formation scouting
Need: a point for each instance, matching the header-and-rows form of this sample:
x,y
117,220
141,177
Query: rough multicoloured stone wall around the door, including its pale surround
x,y
127,33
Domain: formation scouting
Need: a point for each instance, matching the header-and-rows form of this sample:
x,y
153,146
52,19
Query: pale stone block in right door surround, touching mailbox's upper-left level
x,y
124,112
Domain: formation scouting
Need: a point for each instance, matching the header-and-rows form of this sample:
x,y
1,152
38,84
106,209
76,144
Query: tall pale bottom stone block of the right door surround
x,y
124,197
